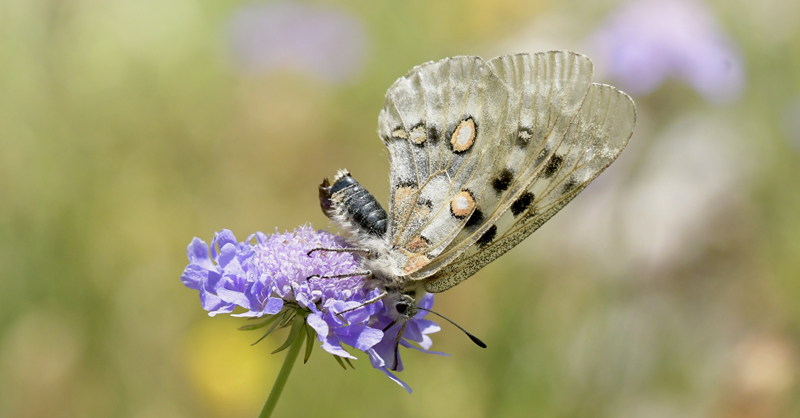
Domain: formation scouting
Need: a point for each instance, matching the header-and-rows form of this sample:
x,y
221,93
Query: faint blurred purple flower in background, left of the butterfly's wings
x,y
317,40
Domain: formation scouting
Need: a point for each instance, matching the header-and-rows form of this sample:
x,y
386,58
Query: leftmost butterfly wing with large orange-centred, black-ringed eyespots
x,y
441,124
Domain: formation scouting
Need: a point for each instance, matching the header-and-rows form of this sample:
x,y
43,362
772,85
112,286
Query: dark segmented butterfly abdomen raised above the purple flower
x,y
349,203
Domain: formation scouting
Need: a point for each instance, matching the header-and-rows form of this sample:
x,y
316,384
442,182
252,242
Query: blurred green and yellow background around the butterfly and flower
x,y
669,288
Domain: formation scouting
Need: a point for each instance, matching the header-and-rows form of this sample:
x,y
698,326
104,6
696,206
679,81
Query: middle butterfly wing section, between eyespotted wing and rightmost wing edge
x,y
546,92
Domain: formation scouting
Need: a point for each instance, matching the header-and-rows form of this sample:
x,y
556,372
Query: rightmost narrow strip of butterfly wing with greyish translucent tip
x,y
592,142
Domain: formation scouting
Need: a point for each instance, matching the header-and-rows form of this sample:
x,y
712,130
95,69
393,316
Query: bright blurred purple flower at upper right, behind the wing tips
x,y
646,41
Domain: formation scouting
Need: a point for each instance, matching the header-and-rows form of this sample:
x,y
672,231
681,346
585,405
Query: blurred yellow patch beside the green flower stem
x,y
232,376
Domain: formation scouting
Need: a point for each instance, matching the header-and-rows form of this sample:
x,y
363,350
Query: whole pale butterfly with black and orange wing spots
x,y
482,154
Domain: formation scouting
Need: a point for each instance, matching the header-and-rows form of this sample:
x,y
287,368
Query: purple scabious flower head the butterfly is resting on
x,y
272,275
